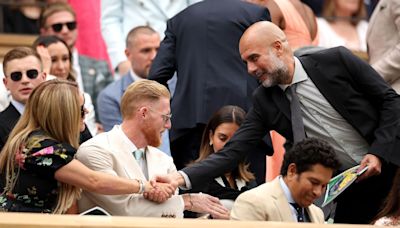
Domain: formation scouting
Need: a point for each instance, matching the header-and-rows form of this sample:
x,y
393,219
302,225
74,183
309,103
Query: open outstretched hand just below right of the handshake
x,y
204,203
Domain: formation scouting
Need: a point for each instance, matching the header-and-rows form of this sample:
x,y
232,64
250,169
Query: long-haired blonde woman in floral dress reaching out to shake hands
x,y
37,166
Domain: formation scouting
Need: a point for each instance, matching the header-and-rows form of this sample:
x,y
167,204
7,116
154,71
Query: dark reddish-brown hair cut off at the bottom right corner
x,y
391,205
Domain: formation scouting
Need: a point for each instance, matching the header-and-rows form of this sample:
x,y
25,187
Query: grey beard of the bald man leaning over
x,y
278,75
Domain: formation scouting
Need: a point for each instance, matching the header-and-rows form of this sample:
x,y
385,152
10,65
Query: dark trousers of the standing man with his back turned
x,y
185,149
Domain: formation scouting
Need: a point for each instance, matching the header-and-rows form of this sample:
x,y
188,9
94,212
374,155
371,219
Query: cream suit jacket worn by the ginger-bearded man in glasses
x,y
108,152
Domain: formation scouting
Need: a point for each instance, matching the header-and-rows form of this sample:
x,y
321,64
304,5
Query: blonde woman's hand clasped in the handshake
x,y
159,192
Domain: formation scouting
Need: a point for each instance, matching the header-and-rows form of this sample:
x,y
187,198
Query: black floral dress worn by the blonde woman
x,y
36,189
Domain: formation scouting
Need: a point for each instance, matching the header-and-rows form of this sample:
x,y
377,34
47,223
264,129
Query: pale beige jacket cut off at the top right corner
x,y
383,39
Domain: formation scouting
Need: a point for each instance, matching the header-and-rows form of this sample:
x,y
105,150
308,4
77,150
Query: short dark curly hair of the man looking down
x,y
309,152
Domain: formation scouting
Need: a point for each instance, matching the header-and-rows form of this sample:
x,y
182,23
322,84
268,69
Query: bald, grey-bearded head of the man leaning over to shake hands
x,y
269,58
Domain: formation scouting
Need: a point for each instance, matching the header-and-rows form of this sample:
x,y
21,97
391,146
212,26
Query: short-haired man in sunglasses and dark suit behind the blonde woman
x,y
22,73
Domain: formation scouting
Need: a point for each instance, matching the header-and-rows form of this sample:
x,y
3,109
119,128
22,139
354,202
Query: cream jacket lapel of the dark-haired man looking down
x,y
281,202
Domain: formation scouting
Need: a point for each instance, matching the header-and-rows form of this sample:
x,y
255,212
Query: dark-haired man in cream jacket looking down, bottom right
x,y
305,172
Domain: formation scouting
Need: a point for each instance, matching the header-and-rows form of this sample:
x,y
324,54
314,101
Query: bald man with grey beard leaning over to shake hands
x,y
342,100
